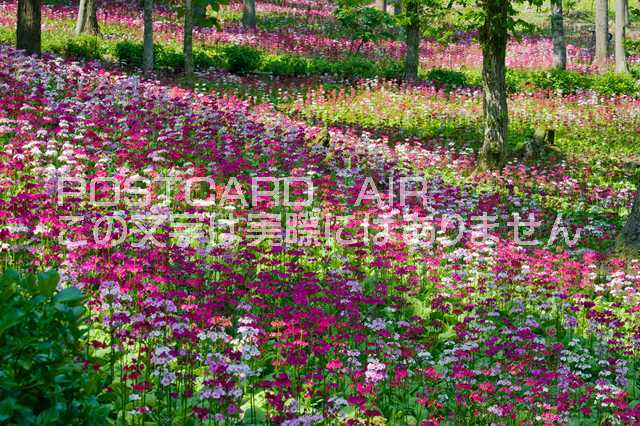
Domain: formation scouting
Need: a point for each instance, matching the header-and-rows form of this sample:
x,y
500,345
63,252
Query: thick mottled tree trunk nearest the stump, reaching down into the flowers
x,y
493,40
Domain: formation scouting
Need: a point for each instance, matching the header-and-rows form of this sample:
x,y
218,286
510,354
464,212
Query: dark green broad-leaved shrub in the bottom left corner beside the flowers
x,y
45,378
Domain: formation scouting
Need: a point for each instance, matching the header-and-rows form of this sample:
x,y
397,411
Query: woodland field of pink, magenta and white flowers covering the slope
x,y
374,310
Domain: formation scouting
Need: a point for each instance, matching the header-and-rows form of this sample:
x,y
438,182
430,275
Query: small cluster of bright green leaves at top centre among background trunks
x,y
363,23
